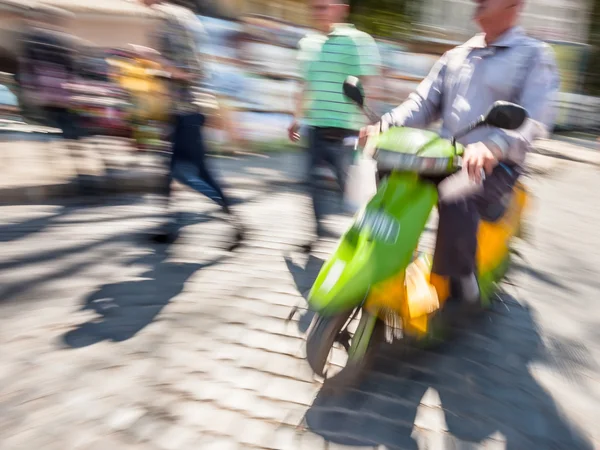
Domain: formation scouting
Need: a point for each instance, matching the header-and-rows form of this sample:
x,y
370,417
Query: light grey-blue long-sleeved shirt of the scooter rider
x,y
468,79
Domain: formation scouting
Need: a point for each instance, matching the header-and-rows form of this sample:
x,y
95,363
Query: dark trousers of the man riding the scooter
x,y
456,244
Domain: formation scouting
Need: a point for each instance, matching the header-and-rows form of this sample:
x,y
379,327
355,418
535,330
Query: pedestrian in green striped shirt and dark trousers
x,y
327,57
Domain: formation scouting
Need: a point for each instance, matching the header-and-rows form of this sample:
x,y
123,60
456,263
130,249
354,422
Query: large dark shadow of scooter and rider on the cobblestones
x,y
474,390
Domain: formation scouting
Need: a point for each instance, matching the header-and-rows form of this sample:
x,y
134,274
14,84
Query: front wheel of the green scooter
x,y
340,352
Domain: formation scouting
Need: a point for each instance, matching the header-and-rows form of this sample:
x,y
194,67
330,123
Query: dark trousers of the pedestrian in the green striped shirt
x,y
326,146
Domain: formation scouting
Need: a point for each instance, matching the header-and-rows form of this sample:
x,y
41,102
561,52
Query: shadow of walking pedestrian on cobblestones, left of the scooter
x,y
125,308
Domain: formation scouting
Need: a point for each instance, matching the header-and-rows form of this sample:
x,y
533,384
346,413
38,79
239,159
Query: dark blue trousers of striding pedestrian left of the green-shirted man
x,y
188,159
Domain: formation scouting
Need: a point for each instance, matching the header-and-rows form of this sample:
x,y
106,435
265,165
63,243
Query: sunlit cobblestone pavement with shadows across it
x,y
108,342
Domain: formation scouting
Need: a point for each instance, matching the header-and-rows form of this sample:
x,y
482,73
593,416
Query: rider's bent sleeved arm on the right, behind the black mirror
x,y
537,97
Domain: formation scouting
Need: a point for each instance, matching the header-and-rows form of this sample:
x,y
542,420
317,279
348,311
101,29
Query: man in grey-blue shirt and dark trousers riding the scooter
x,y
501,63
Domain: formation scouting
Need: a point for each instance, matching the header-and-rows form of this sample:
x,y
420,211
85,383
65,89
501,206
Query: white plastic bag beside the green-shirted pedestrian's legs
x,y
361,183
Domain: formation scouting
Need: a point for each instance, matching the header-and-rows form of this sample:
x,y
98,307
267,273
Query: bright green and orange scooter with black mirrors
x,y
375,287
